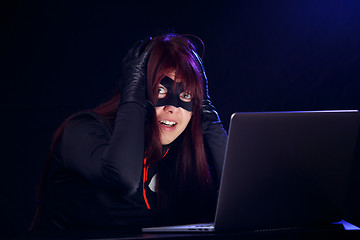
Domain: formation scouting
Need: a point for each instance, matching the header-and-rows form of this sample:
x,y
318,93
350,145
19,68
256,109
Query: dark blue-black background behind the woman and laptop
x,y
59,57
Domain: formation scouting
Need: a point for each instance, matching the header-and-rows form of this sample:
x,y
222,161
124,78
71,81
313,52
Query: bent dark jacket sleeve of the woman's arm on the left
x,y
110,160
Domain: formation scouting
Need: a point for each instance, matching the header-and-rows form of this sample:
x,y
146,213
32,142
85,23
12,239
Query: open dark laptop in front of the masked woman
x,y
283,170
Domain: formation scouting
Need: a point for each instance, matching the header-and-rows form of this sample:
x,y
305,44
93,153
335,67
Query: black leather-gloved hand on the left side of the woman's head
x,y
133,76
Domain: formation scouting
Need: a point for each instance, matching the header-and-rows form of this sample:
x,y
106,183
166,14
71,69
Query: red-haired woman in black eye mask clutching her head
x,y
151,155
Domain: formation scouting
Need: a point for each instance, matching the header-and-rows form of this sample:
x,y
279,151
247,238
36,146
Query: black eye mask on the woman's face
x,y
173,97
